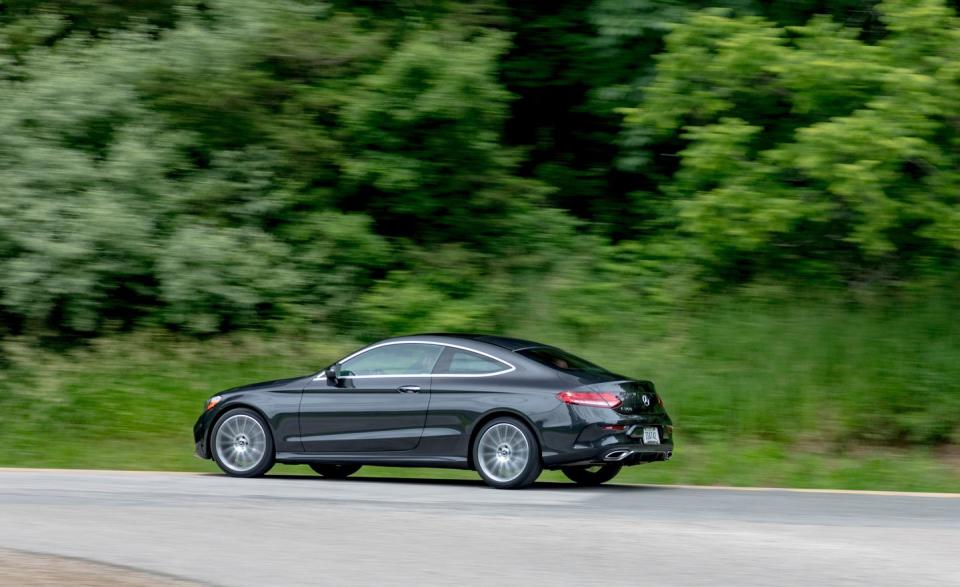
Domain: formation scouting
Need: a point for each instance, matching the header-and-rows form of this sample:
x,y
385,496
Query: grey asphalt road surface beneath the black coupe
x,y
309,531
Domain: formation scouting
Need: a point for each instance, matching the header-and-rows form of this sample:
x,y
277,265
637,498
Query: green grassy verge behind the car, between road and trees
x,y
812,394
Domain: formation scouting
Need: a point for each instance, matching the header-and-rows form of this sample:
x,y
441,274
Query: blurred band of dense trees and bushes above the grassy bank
x,y
384,167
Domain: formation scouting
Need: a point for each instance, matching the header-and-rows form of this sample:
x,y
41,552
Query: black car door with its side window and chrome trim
x,y
378,404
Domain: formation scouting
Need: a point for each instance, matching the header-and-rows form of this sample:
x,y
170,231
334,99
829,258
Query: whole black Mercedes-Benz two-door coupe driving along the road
x,y
504,407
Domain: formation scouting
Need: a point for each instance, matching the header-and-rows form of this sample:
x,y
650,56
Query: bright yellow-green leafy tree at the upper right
x,y
806,144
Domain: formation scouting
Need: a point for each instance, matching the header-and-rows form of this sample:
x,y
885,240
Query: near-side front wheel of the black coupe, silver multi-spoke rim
x,y
242,444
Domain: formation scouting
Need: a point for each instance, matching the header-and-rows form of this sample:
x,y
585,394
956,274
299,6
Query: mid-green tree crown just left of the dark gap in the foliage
x,y
424,137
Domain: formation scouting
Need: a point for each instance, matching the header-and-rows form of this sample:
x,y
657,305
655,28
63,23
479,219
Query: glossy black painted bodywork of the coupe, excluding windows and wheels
x,y
376,421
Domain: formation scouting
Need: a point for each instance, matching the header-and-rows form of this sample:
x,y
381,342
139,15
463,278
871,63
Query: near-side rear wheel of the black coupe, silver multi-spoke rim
x,y
506,454
